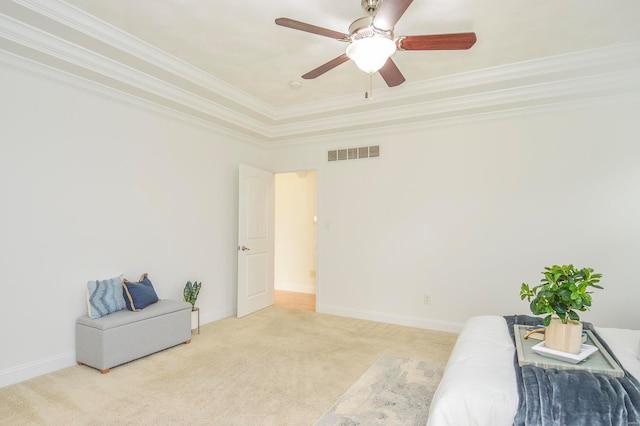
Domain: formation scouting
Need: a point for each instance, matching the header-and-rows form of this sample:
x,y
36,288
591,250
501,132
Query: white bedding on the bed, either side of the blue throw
x,y
480,384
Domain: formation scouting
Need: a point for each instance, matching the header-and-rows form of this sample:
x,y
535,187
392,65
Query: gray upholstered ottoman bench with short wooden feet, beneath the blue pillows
x,y
123,336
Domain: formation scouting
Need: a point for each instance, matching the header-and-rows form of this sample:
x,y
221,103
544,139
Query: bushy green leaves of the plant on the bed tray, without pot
x,y
564,290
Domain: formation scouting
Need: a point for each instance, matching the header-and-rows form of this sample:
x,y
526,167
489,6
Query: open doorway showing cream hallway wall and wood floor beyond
x,y
295,239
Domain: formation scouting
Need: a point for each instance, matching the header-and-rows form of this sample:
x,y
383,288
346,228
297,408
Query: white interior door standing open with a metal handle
x,y
255,239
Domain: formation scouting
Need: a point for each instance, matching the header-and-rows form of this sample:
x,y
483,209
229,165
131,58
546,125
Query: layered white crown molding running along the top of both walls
x,y
587,75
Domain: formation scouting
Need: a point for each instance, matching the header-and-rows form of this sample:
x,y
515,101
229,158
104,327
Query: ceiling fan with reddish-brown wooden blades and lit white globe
x,y
372,42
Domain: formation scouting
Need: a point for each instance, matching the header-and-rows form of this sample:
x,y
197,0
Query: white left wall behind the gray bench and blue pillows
x,y
91,188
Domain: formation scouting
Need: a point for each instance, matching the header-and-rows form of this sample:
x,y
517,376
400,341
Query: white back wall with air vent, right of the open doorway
x,y
465,213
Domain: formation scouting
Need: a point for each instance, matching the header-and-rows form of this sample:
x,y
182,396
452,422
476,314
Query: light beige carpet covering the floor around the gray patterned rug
x,y
275,367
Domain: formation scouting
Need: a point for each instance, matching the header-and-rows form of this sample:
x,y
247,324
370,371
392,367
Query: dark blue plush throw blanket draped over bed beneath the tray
x,y
573,397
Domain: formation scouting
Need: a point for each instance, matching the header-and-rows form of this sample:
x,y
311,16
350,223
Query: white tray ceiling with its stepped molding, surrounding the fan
x,y
226,62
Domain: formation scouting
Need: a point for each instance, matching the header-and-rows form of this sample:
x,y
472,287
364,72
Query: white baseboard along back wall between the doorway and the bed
x,y
426,323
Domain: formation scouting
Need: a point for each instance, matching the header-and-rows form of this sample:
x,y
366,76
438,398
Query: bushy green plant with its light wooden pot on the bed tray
x,y
563,292
